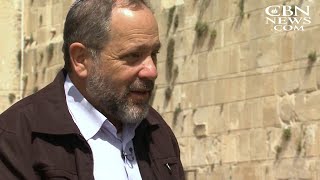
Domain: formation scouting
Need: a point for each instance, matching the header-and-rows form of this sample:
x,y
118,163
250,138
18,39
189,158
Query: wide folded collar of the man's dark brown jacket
x,y
51,111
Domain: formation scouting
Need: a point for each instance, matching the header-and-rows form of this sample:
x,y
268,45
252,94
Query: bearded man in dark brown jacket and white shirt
x,y
94,121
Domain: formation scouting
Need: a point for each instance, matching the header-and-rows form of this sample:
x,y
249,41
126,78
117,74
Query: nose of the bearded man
x,y
148,70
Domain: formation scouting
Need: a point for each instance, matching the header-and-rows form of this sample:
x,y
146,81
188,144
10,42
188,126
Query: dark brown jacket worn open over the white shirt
x,y
39,140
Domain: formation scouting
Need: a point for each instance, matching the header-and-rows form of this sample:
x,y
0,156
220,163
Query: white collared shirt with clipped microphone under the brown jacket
x,y
113,154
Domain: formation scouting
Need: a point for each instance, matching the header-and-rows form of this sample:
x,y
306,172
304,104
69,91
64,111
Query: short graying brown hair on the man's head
x,y
88,22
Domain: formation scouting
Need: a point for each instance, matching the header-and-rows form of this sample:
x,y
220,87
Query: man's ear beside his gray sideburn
x,y
79,59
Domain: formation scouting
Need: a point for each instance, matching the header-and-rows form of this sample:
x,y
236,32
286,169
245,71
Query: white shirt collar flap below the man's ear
x,y
87,118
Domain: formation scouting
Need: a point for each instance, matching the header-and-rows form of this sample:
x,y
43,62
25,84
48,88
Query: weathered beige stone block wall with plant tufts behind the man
x,y
242,99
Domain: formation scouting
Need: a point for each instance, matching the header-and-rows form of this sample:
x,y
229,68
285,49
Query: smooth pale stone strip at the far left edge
x,y
10,52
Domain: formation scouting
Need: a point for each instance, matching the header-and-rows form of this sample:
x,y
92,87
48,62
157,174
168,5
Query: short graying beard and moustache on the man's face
x,y
113,102
